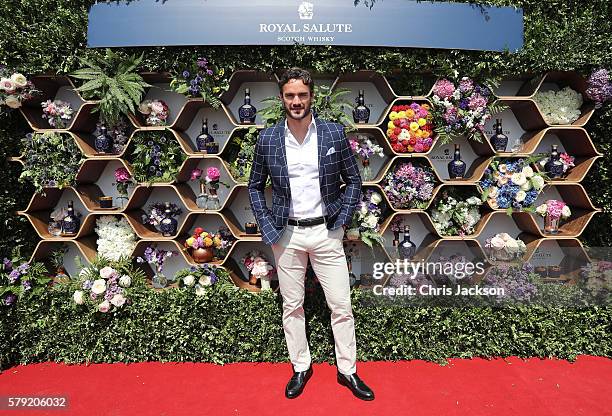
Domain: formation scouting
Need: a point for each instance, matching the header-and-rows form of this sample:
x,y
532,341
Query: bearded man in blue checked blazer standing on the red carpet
x,y
305,158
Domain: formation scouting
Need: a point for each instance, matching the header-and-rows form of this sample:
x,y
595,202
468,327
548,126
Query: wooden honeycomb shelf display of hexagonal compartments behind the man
x,y
523,123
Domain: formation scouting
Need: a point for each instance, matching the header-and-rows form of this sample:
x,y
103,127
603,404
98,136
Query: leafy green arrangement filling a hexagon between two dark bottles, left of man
x,y
155,157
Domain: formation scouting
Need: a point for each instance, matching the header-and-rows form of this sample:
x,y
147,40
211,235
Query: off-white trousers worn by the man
x,y
328,261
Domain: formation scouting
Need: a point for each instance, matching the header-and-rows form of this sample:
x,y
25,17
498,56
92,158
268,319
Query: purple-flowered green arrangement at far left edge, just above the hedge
x,y
19,278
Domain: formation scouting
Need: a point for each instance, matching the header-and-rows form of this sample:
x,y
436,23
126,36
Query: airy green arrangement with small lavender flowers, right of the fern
x,y
201,79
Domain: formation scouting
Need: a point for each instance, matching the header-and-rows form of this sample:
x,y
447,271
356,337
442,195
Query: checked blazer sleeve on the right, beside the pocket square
x,y
350,174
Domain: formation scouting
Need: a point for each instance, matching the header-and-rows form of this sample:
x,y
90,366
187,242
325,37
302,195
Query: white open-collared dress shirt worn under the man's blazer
x,y
303,167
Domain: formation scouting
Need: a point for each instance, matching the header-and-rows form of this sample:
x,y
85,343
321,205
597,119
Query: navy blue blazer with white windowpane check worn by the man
x,y
270,159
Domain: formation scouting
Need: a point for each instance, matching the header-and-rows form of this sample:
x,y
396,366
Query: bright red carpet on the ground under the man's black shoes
x,y
463,387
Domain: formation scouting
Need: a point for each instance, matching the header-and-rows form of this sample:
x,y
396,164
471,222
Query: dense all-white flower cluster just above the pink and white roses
x,y
116,239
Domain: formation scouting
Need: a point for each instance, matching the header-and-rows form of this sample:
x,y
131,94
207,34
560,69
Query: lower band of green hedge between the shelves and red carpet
x,y
235,325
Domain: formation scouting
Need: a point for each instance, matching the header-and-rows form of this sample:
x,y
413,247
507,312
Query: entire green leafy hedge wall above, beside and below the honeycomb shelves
x,y
47,36
